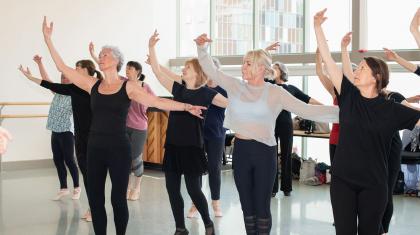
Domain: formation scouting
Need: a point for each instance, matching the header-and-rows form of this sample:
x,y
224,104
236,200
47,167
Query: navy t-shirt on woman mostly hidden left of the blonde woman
x,y
213,125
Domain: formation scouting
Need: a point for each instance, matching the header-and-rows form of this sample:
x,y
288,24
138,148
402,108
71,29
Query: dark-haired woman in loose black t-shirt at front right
x,y
367,124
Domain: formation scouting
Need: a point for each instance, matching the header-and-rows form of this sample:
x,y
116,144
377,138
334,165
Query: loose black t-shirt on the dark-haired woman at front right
x,y
366,129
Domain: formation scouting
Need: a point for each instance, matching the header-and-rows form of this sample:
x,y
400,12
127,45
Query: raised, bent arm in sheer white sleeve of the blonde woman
x,y
223,80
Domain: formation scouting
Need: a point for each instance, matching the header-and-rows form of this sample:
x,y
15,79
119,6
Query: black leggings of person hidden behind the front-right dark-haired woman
x,y
394,167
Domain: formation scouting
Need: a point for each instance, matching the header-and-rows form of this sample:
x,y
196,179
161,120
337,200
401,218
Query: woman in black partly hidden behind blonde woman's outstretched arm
x,y
284,130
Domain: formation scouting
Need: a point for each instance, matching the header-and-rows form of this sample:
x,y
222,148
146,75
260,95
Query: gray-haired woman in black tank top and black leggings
x,y
108,147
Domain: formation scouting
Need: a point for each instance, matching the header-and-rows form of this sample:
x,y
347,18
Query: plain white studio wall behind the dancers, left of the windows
x,y
126,24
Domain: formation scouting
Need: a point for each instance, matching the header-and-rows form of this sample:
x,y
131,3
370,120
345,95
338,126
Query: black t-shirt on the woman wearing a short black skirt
x,y
184,129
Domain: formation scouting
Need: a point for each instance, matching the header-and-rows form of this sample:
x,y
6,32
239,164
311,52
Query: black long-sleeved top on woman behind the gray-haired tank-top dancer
x,y
80,103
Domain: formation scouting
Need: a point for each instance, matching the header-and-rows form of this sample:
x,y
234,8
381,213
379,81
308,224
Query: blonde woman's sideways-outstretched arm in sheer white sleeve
x,y
321,113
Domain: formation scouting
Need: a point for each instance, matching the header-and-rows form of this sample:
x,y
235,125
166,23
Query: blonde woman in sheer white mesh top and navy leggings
x,y
251,113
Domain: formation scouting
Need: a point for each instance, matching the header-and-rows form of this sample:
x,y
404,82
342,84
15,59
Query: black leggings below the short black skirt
x,y
192,182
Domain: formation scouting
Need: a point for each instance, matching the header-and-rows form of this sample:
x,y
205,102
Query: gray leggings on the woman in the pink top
x,y
137,139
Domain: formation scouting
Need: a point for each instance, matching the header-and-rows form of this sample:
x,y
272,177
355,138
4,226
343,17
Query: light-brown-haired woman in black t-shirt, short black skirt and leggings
x,y
184,145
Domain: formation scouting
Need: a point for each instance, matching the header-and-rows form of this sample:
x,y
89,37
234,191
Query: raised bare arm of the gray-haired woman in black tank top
x,y
84,82
